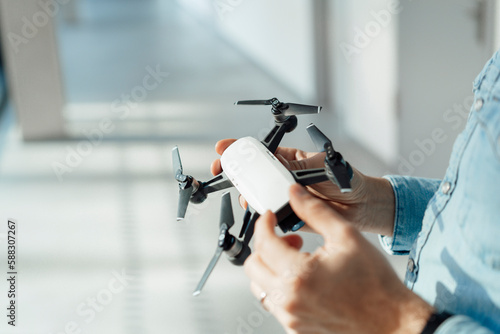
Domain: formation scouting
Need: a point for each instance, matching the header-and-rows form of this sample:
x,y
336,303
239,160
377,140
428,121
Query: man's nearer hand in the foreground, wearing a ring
x,y
346,286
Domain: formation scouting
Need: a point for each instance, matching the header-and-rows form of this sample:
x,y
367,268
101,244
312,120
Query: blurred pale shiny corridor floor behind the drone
x,y
99,248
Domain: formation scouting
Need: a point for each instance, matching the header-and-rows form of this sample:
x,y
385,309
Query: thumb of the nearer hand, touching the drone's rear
x,y
318,215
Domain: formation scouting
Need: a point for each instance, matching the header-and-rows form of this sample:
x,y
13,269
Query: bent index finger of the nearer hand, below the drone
x,y
274,251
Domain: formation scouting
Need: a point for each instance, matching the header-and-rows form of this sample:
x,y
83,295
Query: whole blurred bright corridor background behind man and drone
x,y
94,94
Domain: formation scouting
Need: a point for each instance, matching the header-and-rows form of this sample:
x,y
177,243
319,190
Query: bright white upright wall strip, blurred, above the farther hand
x,y
364,55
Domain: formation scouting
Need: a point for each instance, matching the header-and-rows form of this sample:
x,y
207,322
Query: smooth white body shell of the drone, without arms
x,y
257,175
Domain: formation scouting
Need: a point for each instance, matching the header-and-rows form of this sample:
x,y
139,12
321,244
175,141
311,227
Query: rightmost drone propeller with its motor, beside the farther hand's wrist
x,y
341,172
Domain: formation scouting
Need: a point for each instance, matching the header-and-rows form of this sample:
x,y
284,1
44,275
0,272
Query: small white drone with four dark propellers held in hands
x,y
251,167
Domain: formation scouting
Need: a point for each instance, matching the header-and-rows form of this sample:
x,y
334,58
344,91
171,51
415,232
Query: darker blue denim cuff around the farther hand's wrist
x,y
412,194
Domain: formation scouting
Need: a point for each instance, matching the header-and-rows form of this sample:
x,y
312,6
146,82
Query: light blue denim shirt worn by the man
x,y
451,228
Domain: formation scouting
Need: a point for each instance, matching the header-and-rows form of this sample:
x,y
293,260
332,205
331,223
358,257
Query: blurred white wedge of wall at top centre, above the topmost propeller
x,y
278,35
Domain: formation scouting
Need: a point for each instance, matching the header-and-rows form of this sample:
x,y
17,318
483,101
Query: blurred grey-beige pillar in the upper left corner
x,y
32,68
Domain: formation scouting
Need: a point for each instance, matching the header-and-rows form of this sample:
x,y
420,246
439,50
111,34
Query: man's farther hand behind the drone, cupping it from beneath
x,y
370,205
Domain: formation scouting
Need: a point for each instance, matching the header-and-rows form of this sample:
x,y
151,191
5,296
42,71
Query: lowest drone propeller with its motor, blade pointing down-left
x,y
237,251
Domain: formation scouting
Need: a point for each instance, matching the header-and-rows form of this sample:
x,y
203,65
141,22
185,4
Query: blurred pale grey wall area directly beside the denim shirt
x,y
438,62
